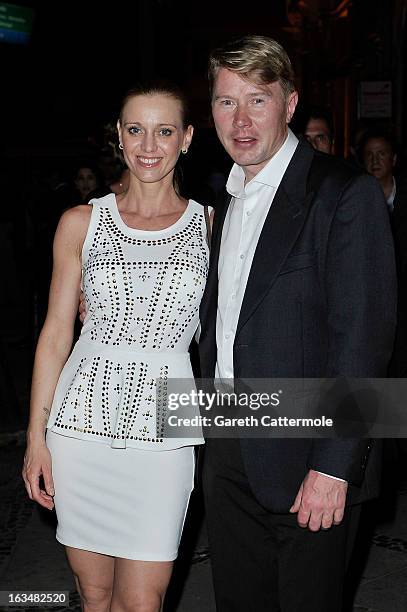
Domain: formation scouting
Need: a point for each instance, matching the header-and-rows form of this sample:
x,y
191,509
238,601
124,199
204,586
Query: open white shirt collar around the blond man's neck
x,y
270,175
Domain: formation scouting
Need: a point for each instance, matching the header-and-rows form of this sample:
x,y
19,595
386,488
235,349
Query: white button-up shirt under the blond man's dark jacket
x,y
241,231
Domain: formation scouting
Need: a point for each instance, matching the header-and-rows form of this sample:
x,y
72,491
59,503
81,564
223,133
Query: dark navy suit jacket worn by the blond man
x,y
320,302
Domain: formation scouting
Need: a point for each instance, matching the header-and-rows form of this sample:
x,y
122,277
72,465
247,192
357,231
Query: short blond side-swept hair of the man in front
x,y
256,58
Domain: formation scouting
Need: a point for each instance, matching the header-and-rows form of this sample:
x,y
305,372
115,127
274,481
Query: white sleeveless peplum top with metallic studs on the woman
x,y
142,291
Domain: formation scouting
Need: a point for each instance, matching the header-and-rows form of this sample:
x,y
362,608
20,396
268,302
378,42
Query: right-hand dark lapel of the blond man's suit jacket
x,y
281,229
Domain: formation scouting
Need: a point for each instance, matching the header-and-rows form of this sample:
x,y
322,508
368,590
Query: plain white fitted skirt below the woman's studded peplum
x,y
126,503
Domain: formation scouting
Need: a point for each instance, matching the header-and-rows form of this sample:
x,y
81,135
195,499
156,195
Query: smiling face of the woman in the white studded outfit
x,y
152,134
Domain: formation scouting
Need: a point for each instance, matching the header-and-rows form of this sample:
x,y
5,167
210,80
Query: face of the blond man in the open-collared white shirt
x,y
250,119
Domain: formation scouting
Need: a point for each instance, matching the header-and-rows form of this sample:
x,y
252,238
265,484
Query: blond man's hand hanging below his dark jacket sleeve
x,y
320,502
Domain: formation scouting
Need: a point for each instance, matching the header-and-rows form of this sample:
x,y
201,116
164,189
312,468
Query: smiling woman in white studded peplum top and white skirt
x,y
121,491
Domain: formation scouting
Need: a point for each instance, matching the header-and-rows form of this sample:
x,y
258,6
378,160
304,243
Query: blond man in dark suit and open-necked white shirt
x,y
301,284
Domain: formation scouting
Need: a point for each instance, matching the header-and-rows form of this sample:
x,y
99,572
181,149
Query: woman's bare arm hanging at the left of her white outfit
x,y
54,346
